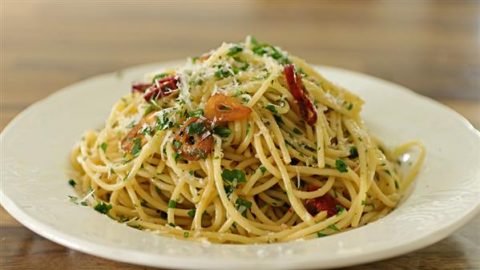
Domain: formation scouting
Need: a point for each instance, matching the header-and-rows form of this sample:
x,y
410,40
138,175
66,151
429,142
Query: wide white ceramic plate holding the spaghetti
x,y
34,189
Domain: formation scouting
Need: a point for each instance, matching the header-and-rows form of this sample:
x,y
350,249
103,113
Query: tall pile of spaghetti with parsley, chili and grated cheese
x,y
244,144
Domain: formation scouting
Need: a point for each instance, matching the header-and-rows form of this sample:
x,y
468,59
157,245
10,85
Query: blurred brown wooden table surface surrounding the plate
x,y
430,47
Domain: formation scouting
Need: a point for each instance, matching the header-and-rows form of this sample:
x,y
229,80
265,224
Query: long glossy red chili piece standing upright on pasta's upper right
x,y
299,92
